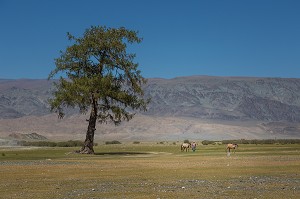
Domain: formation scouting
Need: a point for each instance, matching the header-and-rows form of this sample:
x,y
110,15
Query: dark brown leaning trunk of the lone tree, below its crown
x,y
88,145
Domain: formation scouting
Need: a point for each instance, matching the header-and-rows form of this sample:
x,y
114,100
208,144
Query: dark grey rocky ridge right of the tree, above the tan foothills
x,y
226,98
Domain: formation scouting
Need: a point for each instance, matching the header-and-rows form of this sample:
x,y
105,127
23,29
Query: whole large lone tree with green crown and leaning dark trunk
x,y
99,76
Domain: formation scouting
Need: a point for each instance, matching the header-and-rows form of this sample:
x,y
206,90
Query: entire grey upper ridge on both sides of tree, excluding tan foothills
x,y
206,97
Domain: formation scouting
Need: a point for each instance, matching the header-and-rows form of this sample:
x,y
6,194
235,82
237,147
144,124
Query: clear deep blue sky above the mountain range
x,y
180,38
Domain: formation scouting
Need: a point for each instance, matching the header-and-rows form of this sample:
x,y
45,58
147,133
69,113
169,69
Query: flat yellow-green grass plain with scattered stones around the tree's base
x,y
151,170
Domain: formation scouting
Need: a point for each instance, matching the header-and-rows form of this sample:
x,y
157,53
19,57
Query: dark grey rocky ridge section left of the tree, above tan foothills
x,y
24,97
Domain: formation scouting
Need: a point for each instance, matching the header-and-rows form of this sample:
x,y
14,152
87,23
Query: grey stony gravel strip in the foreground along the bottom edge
x,y
252,187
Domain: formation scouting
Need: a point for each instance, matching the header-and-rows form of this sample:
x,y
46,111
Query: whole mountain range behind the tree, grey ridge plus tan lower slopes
x,y
197,107
